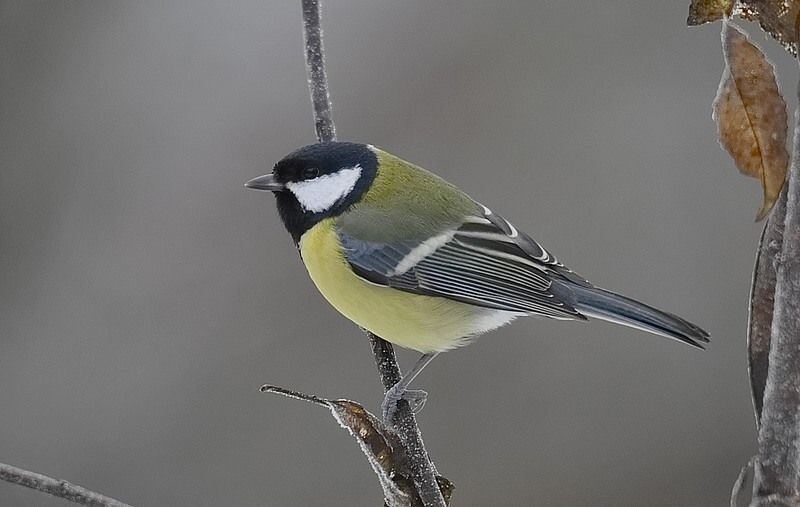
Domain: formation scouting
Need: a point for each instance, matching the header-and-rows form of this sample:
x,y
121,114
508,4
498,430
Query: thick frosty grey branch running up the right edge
x,y
776,471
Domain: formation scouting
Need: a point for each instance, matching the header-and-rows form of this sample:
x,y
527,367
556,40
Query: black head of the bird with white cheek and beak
x,y
318,181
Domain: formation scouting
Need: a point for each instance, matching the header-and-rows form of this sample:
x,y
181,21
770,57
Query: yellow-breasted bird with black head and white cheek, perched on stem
x,y
411,258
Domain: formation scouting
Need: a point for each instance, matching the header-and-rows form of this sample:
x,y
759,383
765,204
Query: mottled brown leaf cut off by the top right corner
x,y
779,18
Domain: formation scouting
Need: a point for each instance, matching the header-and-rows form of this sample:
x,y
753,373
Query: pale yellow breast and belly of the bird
x,y
423,323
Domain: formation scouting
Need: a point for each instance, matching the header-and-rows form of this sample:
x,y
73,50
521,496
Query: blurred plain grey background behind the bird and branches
x,y
145,295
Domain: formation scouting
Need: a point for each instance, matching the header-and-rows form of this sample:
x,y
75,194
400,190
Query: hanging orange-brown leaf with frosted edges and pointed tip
x,y
751,115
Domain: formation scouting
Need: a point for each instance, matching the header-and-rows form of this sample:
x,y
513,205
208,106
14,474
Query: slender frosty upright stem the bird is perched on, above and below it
x,y
423,472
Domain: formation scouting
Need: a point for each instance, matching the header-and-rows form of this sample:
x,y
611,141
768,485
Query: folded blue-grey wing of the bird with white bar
x,y
485,262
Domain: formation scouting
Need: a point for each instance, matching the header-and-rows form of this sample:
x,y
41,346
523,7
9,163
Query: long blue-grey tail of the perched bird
x,y
606,305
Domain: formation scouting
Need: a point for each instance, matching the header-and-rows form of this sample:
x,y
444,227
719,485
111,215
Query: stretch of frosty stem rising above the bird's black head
x,y
315,67
